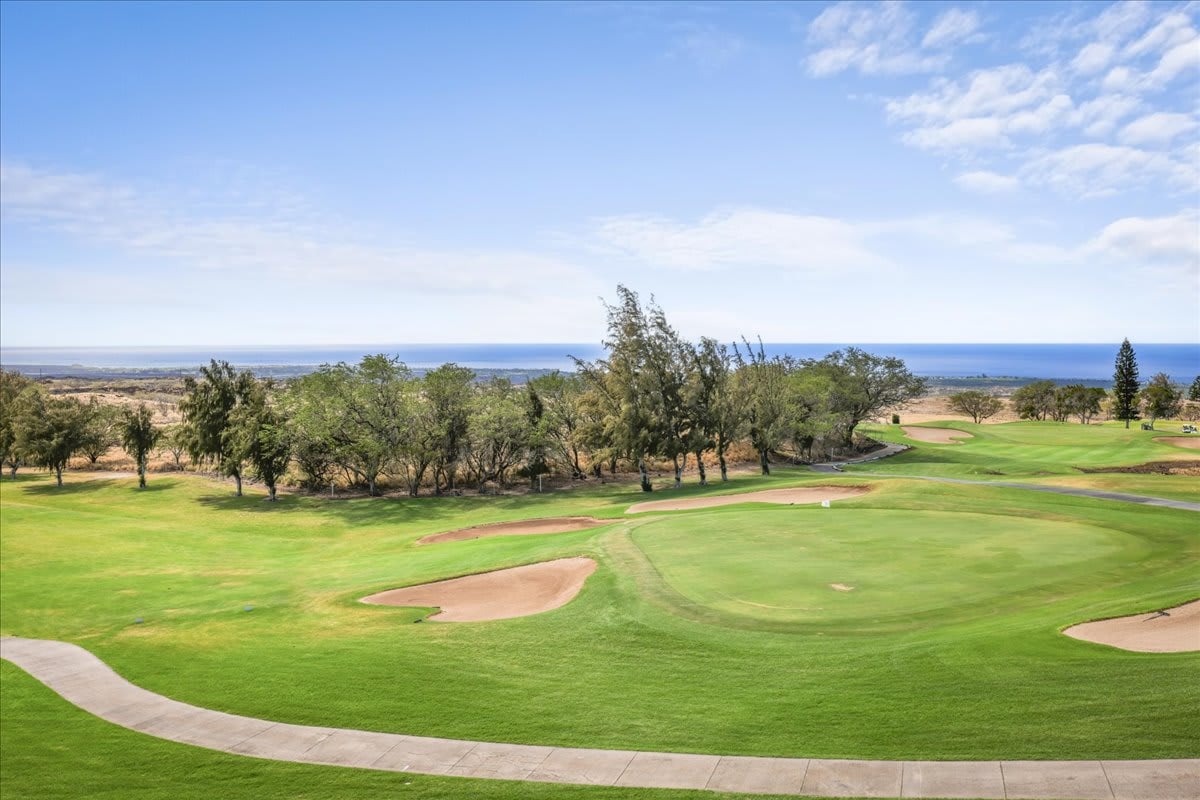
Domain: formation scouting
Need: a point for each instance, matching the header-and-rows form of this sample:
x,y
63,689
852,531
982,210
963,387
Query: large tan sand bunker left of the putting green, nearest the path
x,y
503,594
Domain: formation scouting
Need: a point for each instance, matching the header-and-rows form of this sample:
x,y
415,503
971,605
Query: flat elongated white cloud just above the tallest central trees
x,y
741,238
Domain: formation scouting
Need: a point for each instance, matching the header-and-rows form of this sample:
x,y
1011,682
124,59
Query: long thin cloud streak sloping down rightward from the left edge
x,y
99,212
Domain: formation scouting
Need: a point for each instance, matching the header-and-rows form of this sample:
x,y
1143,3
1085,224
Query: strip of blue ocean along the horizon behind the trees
x,y
1053,362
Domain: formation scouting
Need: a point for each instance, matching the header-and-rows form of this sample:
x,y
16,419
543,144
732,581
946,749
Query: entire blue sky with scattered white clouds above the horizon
x,y
260,175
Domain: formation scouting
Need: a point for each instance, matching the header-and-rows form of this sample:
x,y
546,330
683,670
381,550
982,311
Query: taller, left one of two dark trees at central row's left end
x,y
207,407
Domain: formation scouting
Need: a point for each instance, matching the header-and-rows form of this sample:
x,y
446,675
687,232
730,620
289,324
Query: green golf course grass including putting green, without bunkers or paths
x,y
907,619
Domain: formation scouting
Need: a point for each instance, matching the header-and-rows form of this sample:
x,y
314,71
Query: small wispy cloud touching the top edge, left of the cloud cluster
x,y
873,39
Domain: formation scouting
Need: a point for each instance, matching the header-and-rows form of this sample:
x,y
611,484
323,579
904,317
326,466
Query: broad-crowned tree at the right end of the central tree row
x,y
868,384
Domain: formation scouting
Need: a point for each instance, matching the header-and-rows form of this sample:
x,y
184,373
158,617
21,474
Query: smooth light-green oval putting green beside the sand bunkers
x,y
854,570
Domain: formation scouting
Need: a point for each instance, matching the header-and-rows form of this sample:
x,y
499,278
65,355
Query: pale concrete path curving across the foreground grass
x,y
91,684
